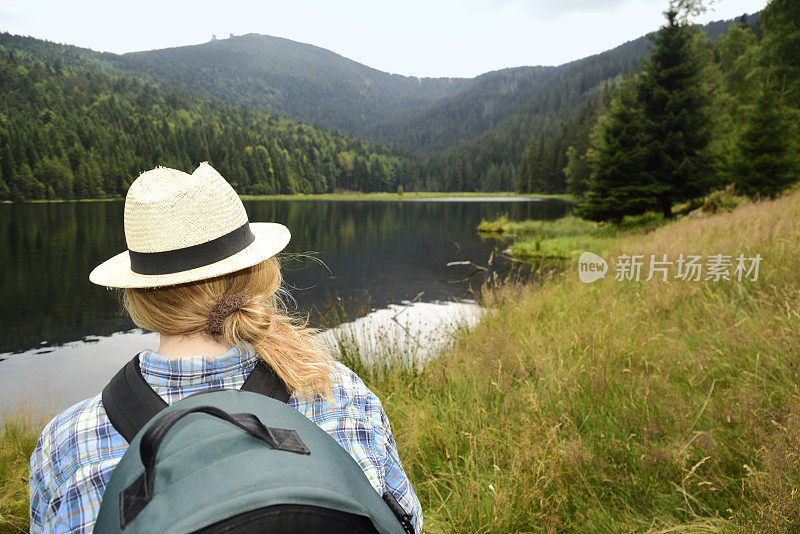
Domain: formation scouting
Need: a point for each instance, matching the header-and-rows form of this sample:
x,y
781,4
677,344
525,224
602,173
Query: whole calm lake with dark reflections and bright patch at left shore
x,y
62,336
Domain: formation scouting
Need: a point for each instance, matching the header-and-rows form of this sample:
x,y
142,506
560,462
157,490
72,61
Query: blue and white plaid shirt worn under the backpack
x,y
79,448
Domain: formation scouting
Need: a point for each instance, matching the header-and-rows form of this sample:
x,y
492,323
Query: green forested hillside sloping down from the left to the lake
x,y
71,127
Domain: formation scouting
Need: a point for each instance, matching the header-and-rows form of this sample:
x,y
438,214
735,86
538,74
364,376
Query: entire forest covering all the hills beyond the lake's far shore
x,y
76,123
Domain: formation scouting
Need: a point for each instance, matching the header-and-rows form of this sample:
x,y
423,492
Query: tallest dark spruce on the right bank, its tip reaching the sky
x,y
674,106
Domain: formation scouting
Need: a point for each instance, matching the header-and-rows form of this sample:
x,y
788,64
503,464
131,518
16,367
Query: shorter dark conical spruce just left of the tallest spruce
x,y
620,183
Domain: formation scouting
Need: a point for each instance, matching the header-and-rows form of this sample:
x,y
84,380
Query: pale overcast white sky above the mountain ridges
x,y
411,37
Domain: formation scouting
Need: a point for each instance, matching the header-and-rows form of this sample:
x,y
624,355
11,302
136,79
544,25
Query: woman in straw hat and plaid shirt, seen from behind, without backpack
x,y
203,277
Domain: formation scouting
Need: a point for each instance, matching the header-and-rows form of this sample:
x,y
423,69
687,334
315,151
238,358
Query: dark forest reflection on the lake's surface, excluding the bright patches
x,y
378,253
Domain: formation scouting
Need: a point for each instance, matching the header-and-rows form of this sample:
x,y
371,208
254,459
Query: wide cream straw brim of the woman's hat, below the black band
x,y
270,238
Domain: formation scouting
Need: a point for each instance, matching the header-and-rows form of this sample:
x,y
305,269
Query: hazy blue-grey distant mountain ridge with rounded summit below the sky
x,y
419,115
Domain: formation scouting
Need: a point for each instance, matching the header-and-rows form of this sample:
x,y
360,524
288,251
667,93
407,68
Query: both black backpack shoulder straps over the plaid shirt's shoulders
x,y
130,402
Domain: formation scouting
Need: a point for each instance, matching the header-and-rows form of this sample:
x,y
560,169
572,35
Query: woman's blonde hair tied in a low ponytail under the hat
x,y
281,340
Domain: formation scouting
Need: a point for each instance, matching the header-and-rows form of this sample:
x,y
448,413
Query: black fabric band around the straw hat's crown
x,y
184,259
